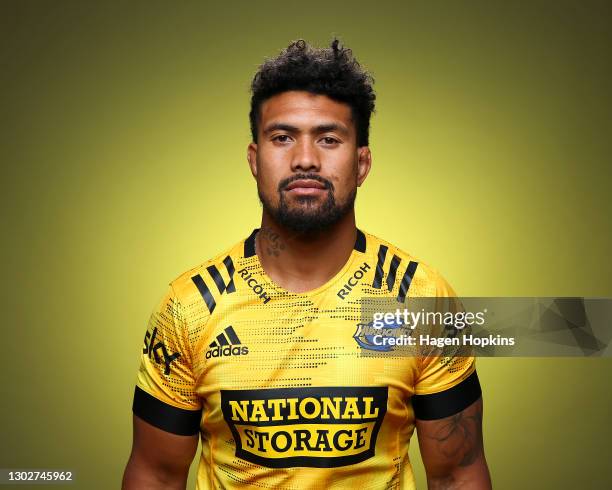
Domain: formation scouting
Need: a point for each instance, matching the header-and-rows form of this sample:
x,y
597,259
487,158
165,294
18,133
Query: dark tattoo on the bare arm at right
x,y
460,437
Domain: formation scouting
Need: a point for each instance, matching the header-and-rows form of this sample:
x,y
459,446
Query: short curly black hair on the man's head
x,y
329,71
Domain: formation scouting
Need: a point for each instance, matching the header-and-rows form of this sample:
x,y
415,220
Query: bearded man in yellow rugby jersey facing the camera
x,y
256,350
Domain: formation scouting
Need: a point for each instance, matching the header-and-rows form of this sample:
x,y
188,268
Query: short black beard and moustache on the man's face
x,y
307,215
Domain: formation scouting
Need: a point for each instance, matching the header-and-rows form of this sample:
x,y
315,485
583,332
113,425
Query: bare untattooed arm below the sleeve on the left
x,y
159,459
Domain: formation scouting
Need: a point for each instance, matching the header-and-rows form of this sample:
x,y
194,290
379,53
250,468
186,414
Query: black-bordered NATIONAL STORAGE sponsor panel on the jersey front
x,y
318,427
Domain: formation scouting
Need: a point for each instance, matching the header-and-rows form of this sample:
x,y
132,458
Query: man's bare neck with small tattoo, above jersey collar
x,y
303,262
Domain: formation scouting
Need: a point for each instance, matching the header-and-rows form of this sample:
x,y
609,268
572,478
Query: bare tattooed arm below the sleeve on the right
x,y
453,452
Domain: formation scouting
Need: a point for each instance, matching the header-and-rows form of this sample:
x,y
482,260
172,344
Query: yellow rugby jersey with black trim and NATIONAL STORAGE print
x,y
275,382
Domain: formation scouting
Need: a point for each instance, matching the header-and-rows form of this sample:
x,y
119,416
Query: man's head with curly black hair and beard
x,y
310,116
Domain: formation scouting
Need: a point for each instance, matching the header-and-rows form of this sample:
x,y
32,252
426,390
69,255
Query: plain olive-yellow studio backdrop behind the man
x,y
123,148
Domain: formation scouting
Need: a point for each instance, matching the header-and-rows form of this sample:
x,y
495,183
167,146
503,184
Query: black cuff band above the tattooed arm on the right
x,y
448,402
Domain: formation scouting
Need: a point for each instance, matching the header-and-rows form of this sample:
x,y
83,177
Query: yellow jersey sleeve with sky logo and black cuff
x,y
165,387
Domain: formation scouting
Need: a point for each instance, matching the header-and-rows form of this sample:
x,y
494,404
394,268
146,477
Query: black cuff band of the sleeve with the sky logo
x,y
165,417
